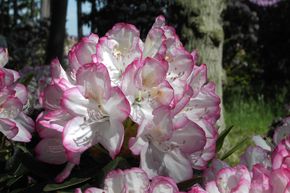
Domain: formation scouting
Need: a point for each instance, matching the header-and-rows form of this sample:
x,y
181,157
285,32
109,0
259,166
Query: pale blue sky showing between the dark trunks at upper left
x,y
71,18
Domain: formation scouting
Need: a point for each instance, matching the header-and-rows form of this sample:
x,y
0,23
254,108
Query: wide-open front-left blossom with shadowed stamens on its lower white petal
x,y
98,111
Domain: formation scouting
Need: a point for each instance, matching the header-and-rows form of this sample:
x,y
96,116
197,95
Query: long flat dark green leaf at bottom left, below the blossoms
x,y
66,184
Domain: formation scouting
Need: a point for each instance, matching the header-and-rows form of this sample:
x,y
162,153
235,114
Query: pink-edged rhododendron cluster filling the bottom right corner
x,y
261,170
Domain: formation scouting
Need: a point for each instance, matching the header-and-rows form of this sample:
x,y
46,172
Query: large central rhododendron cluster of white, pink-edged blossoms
x,y
155,83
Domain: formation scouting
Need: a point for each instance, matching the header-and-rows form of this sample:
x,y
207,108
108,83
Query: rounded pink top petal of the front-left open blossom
x,y
96,81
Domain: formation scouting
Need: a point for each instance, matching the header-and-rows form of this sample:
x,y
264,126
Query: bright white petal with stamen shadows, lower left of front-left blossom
x,y
78,136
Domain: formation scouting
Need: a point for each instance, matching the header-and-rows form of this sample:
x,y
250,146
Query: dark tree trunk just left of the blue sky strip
x,y
55,45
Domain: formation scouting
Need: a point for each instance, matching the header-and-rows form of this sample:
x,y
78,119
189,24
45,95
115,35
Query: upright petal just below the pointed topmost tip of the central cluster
x,y
154,46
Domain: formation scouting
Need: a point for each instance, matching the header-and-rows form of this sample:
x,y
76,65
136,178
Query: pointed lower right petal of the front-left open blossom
x,y
111,136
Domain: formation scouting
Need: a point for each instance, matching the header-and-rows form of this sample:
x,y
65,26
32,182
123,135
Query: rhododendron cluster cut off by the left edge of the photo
x,y
14,124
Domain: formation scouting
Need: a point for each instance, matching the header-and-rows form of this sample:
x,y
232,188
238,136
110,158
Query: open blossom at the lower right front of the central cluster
x,y
165,146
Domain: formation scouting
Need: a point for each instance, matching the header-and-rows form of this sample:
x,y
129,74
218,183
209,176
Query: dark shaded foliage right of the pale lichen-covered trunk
x,y
256,49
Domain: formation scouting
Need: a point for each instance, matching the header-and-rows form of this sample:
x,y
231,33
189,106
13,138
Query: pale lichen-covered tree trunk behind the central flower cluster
x,y
203,26
